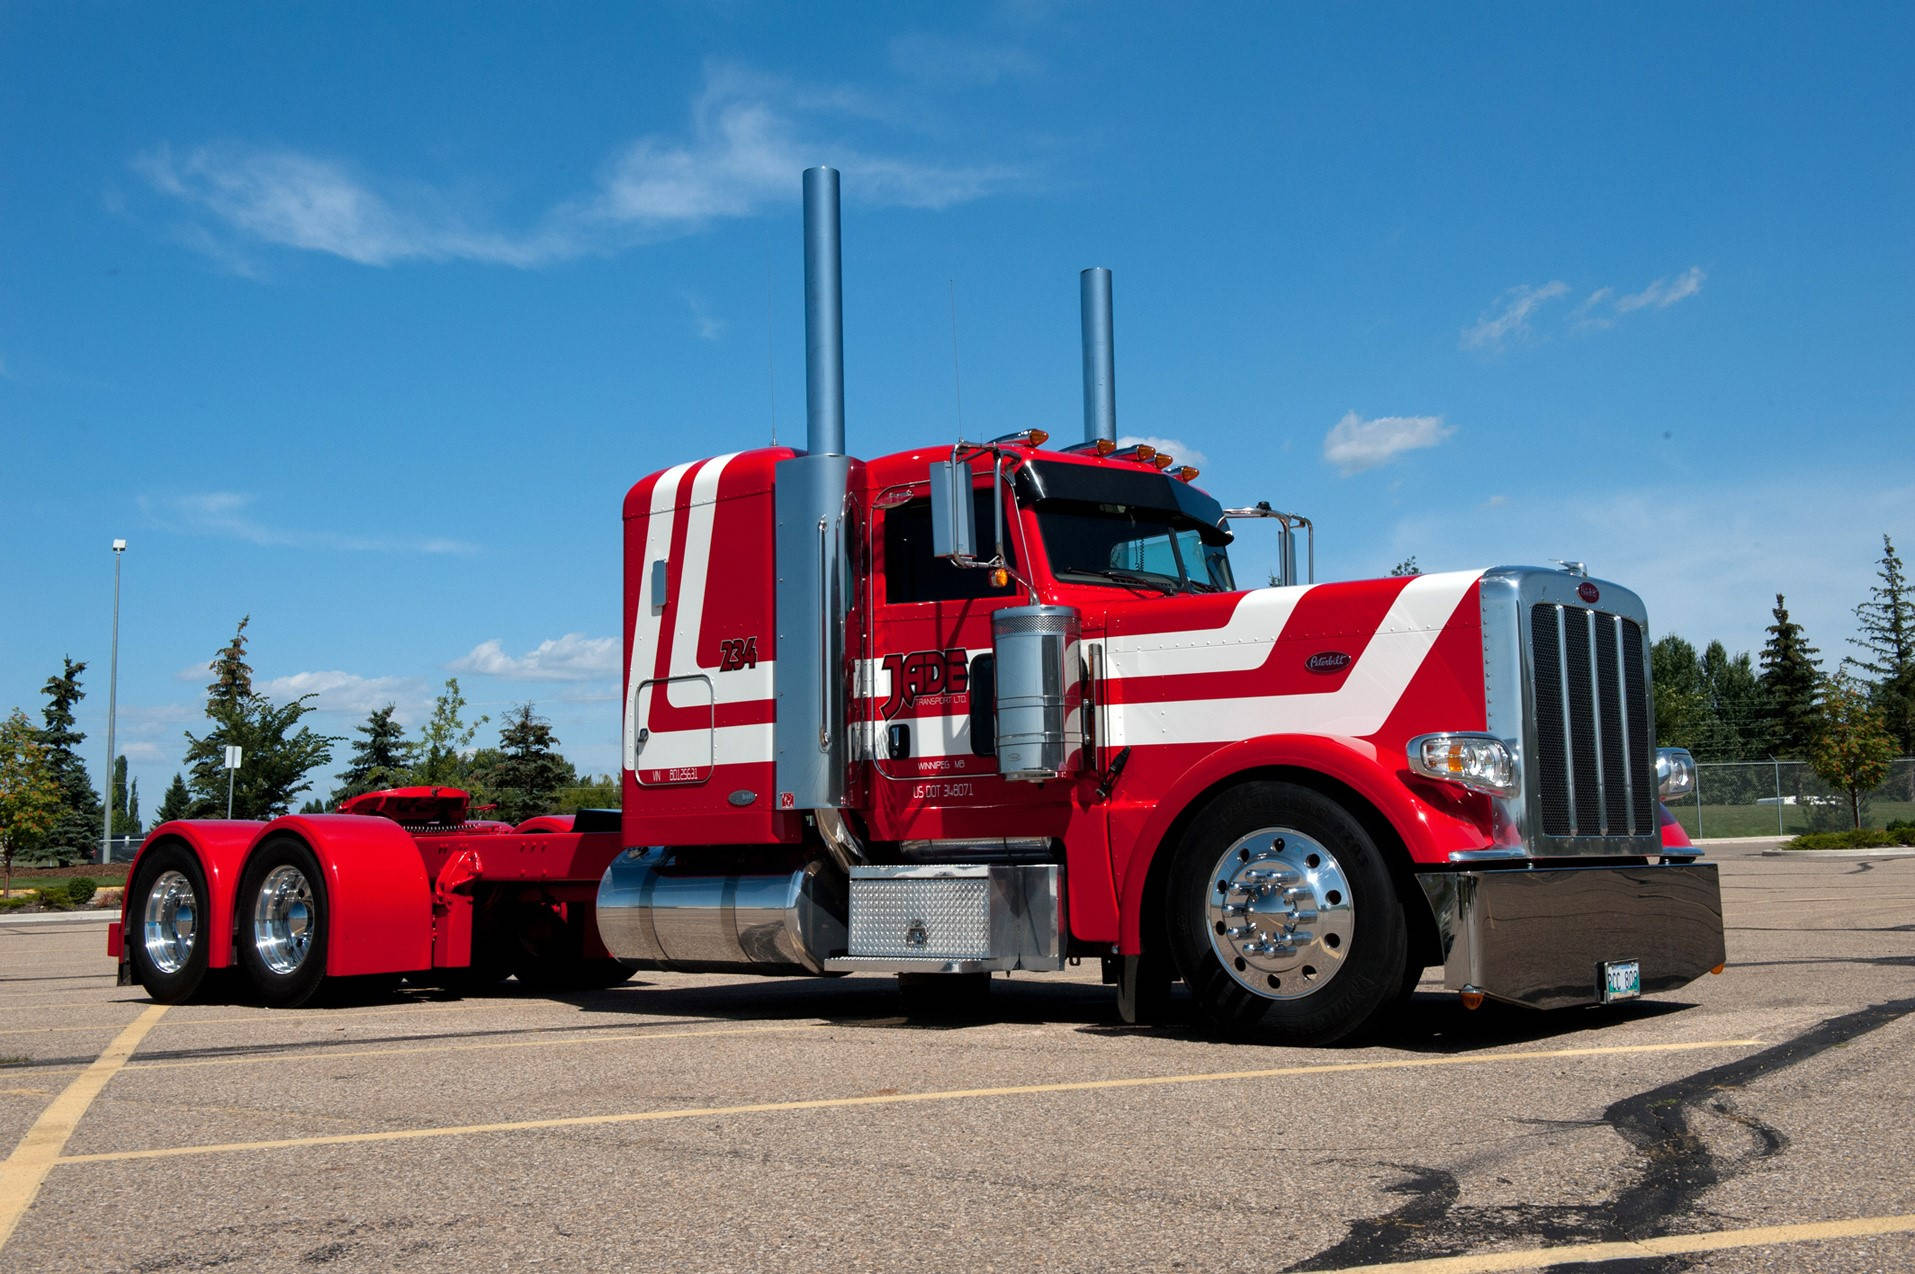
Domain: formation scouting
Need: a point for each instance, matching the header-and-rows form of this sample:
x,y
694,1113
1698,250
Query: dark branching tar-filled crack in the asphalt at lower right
x,y
1677,1170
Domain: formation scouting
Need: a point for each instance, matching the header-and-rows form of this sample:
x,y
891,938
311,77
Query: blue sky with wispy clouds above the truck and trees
x,y
361,319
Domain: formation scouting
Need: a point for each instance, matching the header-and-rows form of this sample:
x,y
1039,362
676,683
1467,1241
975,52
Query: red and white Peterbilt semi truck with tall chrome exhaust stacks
x,y
1003,706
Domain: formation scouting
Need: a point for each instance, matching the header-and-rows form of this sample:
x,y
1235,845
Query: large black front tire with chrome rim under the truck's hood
x,y
1284,919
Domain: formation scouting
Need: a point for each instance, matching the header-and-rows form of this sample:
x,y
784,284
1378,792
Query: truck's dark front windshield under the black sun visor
x,y
1127,545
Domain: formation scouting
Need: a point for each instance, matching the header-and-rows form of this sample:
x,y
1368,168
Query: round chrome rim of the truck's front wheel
x,y
1280,915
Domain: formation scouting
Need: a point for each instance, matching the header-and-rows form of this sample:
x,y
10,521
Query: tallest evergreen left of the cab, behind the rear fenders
x,y
279,754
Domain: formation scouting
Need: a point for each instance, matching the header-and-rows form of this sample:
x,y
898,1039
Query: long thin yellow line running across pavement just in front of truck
x,y
897,1099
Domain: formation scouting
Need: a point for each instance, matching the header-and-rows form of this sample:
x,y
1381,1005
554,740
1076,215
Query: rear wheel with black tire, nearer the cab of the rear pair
x,y
284,922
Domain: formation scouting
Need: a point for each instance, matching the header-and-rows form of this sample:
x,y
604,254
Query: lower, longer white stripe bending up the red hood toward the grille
x,y
1359,708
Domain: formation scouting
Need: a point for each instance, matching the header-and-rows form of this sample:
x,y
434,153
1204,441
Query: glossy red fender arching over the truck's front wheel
x,y
1430,830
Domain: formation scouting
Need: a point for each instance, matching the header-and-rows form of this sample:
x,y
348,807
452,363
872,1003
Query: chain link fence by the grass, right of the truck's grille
x,y
1786,798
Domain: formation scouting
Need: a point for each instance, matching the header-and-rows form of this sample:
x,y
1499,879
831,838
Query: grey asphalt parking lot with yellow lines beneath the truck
x,y
1763,1120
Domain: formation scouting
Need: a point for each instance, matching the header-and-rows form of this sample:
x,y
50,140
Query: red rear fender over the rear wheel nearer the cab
x,y
376,888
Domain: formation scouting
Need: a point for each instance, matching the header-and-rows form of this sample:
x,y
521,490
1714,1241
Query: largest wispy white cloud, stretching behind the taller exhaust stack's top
x,y
748,141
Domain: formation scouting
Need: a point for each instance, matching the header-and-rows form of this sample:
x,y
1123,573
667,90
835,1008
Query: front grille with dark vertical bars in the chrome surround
x,y
1592,748
